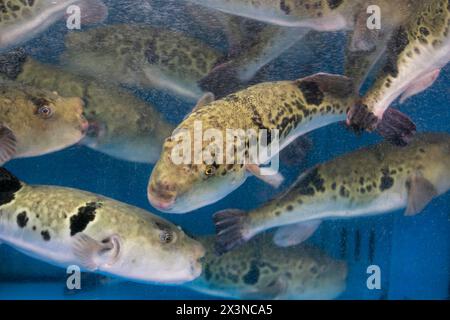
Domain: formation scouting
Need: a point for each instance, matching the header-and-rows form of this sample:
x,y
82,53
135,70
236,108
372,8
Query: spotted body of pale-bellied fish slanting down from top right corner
x,y
418,46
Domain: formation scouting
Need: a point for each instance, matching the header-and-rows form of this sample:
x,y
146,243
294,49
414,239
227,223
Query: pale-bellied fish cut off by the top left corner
x,y
21,20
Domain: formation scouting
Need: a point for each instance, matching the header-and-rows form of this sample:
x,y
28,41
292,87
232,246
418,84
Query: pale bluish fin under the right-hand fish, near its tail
x,y
294,234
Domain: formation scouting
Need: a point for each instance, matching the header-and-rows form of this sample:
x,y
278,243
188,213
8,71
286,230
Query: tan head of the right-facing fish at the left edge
x,y
50,123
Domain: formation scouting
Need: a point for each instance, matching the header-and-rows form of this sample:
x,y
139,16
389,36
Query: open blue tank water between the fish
x,y
412,252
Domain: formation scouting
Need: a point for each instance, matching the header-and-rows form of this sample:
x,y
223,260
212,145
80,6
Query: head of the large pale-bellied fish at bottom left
x,y
167,255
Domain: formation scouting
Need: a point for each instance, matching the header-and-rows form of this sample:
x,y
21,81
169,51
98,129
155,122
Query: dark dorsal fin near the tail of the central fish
x,y
337,85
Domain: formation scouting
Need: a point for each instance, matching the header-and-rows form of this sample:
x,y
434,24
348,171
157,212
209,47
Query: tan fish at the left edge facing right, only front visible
x,y
35,122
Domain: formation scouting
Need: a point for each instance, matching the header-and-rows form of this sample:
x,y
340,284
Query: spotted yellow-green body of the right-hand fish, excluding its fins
x,y
369,181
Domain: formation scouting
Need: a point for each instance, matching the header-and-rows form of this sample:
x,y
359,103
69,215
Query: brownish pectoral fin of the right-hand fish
x,y
420,192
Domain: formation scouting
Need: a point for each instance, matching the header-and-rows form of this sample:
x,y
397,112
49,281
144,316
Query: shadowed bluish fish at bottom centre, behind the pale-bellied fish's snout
x,y
260,270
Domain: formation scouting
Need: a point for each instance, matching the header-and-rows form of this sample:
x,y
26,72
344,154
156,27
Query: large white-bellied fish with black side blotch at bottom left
x,y
66,227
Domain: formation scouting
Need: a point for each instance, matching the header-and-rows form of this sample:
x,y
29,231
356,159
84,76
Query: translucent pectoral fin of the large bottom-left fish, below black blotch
x,y
94,254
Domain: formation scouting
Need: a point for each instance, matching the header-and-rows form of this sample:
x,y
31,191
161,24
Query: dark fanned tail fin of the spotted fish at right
x,y
229,226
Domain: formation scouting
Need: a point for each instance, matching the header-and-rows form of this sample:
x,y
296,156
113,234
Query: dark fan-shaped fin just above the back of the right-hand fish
x,y
396,127
